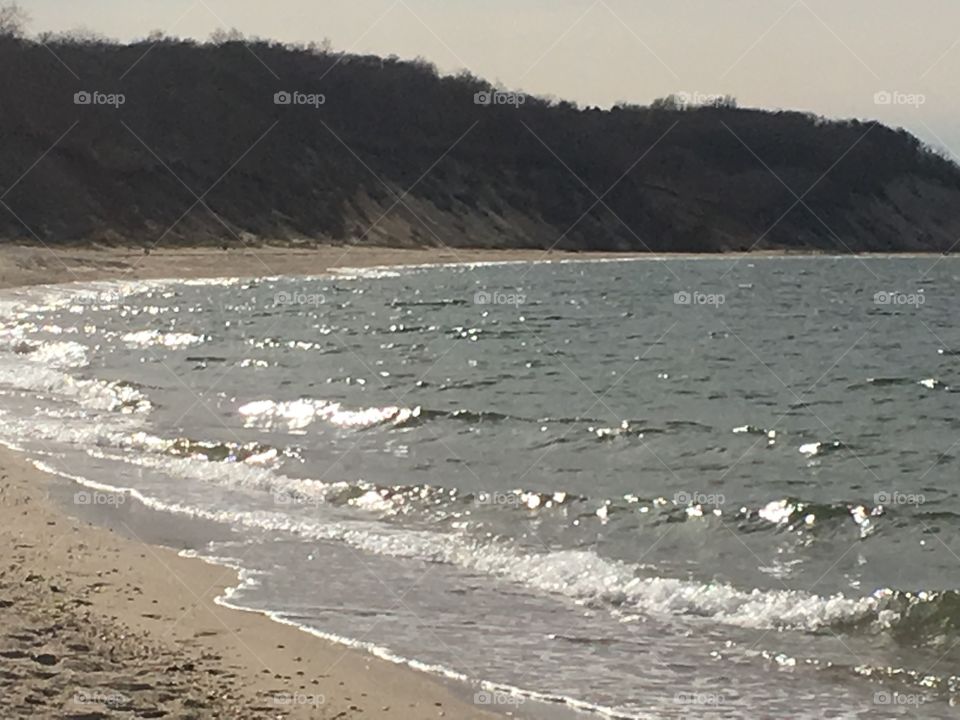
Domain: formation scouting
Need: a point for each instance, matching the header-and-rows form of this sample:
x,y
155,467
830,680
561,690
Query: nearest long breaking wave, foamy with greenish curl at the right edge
x,y
910,617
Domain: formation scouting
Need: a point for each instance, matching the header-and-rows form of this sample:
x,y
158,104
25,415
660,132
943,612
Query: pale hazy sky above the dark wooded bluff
x,y
891,60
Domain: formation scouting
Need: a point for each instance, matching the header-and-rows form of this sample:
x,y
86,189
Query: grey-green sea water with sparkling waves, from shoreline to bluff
x,y
634,489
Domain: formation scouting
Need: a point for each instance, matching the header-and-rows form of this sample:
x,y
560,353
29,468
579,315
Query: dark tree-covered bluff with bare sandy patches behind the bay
x,y
185,143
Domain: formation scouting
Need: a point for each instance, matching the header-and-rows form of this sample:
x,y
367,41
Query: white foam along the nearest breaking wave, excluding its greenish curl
x,y
578,574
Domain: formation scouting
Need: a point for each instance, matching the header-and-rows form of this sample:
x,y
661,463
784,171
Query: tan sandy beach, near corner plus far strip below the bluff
x,y
97,624
